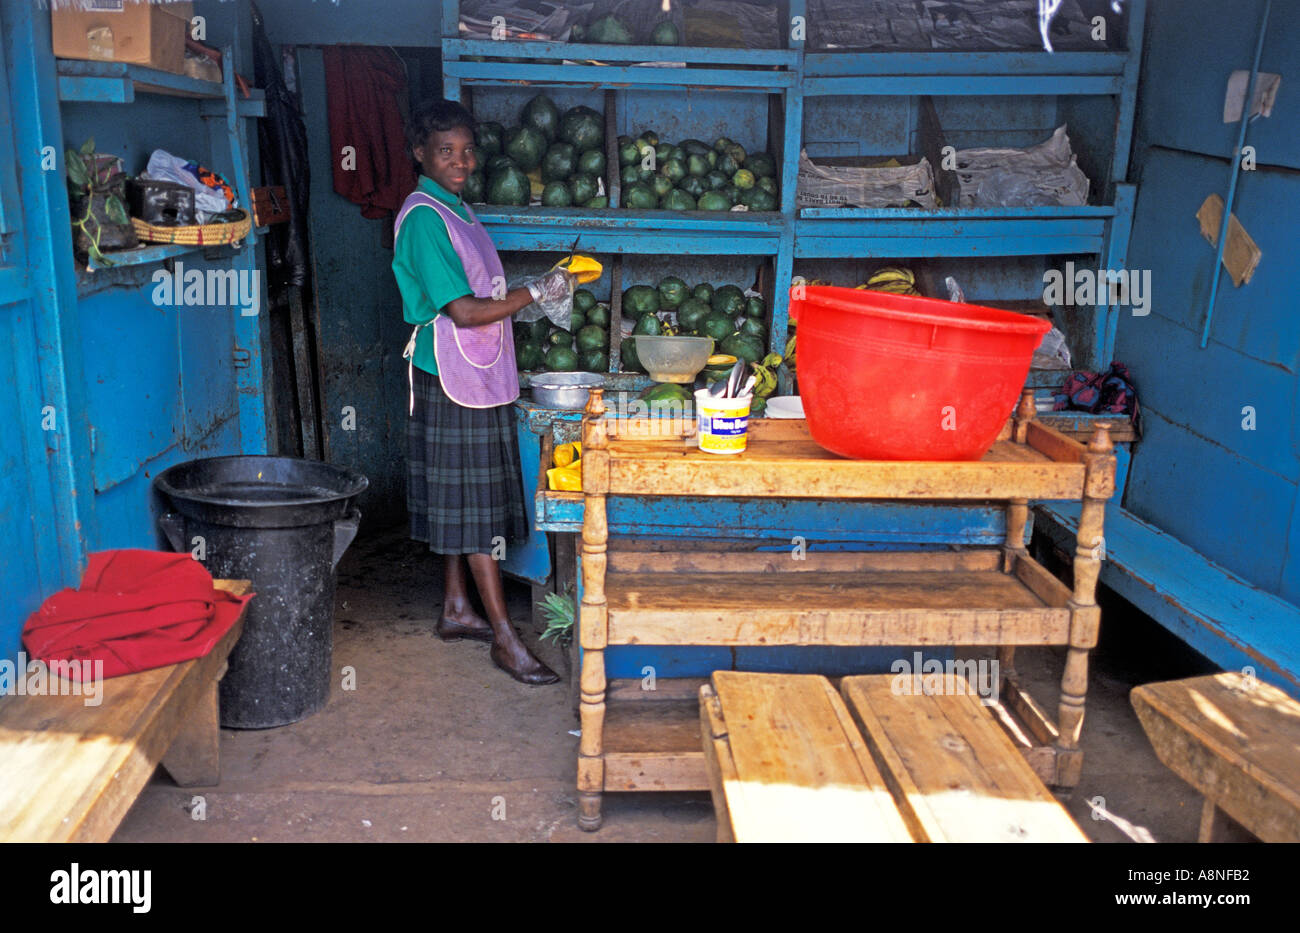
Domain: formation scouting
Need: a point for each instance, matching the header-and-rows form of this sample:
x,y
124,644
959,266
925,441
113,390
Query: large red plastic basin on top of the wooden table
x,y
892,377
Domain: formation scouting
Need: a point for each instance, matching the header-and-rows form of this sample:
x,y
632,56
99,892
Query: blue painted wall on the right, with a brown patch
x,y
1201,472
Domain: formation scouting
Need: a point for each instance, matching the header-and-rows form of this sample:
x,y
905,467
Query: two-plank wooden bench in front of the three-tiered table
x,y
790,760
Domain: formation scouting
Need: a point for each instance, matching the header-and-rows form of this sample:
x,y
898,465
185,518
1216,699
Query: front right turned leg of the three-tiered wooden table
x,y
1085,613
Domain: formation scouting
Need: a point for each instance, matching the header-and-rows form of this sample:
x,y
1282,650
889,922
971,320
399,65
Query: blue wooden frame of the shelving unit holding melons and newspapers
x,y
795,76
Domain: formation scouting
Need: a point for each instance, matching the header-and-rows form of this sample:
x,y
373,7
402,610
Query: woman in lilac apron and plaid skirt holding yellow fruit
x,y
465,489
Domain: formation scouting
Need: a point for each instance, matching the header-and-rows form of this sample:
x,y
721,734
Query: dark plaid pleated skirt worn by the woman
x,y
465,489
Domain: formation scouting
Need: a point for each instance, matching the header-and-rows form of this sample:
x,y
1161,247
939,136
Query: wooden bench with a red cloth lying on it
x,y
73,771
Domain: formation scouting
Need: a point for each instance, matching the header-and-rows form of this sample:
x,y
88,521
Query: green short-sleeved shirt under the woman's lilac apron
x,y
428,271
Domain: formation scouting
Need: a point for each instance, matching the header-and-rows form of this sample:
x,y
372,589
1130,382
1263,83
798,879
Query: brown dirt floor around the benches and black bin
x,y
435,744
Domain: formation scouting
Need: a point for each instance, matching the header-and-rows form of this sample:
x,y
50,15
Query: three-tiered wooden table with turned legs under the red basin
x,y
998,597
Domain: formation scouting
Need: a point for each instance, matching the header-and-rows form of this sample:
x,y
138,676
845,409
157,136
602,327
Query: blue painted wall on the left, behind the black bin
x,y
131,388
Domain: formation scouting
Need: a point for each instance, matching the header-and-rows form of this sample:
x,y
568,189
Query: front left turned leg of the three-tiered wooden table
x,y
593,620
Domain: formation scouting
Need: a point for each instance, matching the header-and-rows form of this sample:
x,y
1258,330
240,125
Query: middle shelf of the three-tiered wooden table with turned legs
x,y
853,598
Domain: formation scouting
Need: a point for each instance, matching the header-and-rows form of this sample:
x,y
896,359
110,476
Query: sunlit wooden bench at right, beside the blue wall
x,y
1237,740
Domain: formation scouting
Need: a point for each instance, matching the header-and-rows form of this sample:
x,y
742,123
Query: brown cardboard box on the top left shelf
x,y
135,32
